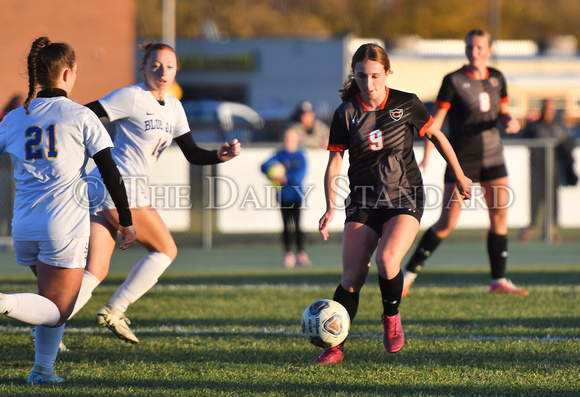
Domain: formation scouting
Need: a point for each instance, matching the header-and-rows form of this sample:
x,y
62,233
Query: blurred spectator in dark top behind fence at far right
x,y
548,126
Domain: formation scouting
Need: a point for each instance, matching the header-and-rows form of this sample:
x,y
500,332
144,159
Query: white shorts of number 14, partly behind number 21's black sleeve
x,y
100,199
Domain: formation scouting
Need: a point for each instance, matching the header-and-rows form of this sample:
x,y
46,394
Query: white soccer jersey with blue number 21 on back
x,y
49,149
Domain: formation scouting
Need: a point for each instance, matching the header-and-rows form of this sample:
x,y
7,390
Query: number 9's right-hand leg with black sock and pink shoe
x,y
398,235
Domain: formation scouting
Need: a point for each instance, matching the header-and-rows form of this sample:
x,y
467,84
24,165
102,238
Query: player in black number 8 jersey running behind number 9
x,y
475,97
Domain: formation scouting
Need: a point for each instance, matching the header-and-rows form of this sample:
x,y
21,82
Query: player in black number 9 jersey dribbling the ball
x,y
376,124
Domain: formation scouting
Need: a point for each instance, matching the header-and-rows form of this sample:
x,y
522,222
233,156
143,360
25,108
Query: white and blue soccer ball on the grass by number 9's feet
x,y
325,323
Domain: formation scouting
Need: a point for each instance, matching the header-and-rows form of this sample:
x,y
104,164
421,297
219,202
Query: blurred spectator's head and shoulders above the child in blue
x,y
313,132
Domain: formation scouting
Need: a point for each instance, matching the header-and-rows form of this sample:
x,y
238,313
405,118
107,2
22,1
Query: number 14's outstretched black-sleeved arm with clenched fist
x,y
199,156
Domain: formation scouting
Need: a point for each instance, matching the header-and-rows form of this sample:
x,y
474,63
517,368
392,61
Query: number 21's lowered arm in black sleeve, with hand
x,y
116,187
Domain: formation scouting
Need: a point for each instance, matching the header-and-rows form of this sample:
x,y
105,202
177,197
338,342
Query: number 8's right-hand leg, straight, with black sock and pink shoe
x,y
497,196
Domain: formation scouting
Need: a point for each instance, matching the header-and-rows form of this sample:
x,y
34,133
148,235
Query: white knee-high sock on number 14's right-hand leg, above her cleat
x,y
141,279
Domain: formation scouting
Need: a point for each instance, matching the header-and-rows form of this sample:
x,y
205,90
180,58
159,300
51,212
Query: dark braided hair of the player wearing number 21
x,y
46,61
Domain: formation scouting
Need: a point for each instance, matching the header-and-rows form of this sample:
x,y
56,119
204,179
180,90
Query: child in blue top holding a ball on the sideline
x,y
290,195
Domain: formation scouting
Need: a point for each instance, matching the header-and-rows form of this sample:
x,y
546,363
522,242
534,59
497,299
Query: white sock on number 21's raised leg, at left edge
x,y
32,309
